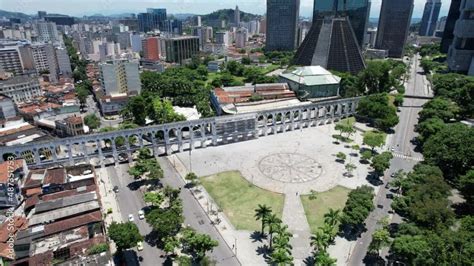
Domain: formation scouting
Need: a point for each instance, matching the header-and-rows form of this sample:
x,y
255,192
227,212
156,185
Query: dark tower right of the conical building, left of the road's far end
x,y
392,33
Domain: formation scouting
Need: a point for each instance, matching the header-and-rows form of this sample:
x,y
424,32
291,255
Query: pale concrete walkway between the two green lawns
x,y
295,218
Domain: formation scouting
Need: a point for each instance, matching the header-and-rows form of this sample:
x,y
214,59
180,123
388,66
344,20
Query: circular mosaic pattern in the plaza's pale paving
x,y
290,167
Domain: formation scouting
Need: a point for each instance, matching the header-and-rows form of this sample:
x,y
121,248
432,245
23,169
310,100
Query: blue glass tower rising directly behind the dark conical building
x,y
357,11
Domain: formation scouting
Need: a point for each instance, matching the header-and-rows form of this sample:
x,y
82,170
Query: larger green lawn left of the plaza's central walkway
x,y
238,198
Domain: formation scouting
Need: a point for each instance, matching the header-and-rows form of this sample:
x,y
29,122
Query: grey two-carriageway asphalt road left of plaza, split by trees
x,y
130,202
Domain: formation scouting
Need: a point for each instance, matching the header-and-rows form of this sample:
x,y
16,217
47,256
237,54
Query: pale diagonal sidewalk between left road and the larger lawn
x,y
239,241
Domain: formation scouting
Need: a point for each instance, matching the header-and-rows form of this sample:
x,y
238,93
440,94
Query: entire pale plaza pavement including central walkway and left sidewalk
x,y
283,163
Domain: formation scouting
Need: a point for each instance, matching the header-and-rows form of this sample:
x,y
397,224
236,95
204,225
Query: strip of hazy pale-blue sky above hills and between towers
x,y
107,7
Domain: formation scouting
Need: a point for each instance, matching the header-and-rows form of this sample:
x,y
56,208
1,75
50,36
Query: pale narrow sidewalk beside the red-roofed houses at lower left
x,y
109,201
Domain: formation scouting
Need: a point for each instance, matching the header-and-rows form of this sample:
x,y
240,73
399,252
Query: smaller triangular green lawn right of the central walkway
x,y
315,209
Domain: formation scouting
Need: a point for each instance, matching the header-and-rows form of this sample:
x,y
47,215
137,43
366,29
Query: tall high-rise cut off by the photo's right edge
x,y
461,51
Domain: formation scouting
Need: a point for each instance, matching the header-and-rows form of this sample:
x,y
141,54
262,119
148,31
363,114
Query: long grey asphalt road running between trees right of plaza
x,y
401,143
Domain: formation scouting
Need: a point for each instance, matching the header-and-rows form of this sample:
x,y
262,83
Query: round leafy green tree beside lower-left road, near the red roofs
x,y
124,235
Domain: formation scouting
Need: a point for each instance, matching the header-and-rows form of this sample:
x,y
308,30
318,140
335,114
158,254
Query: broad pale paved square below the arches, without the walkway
x,y
297,161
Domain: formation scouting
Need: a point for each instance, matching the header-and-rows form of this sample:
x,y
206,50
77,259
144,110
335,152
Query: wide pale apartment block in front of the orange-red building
x,y
119,77
